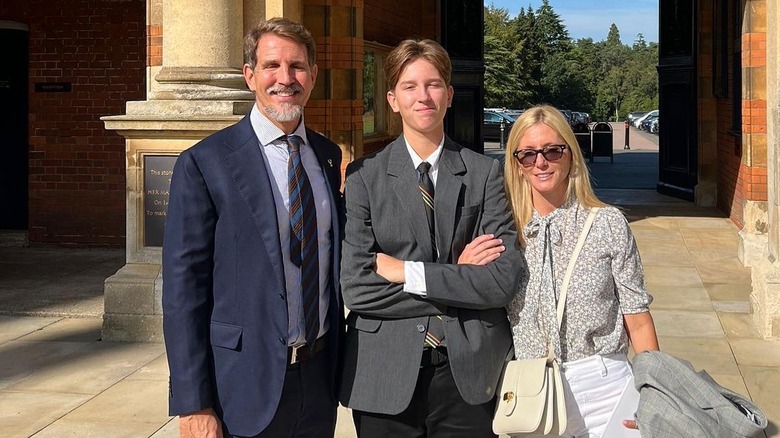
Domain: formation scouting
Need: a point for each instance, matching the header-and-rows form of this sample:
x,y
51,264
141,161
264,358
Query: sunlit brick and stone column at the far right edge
x,y
759,236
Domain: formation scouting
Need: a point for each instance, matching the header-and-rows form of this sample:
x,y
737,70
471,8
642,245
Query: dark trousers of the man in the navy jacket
x,y
307,408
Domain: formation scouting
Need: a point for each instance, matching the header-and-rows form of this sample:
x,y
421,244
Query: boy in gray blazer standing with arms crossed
x,y
426,337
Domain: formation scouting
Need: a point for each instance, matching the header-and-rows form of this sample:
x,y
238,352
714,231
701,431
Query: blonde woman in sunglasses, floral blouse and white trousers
x,y
549,190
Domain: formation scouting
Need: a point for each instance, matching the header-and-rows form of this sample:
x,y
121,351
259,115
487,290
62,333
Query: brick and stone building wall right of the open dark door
x,y
736,111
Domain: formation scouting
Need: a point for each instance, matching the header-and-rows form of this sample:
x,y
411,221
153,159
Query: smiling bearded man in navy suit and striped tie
x,y
252,320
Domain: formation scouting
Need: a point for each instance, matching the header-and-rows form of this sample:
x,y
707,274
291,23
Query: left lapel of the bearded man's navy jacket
x,y
247,165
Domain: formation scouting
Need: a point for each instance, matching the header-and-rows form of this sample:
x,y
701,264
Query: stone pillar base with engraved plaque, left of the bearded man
x,y
156,129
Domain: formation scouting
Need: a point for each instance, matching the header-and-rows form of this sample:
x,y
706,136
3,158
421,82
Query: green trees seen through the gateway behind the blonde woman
x,y
531,59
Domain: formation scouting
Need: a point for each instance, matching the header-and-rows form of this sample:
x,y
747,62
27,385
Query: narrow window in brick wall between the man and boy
x,y
374,101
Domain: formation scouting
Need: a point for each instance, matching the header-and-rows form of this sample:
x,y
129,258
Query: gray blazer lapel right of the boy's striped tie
x,y
447,197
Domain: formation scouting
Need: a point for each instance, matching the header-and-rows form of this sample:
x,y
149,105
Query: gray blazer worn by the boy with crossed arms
x,y
387,326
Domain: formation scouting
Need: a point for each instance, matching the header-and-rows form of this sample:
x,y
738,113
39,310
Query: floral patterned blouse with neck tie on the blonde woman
x,y
607,282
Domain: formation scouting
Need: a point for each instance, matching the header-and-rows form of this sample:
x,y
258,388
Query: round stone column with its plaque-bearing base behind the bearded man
x,y
195,87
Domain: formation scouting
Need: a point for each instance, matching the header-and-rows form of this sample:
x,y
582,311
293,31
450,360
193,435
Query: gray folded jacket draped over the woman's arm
x,y
677,401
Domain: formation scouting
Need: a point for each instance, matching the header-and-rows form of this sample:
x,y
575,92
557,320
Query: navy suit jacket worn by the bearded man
x,y
224,298
